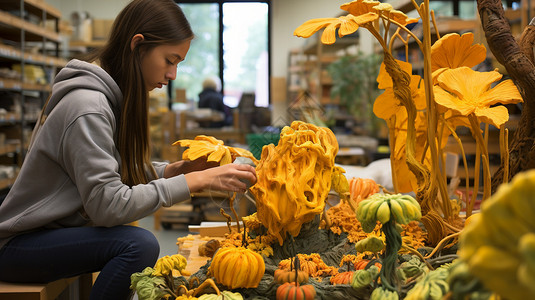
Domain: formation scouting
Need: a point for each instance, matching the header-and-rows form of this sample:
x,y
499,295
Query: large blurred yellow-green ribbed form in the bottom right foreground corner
x,y
499,244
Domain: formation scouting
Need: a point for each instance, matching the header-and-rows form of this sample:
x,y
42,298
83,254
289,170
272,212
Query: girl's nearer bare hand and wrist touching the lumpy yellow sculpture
x,y
229,177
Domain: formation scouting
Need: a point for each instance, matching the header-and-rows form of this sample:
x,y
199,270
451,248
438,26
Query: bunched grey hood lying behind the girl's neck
x,y
78,74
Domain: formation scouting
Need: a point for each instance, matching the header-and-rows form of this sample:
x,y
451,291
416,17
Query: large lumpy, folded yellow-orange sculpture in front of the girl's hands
x,y
294,178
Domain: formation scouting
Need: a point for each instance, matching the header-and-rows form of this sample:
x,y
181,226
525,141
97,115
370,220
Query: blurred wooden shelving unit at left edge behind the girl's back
x,y
29,59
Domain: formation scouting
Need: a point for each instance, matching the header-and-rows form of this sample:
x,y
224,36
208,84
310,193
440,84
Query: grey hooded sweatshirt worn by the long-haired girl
x,y
71,174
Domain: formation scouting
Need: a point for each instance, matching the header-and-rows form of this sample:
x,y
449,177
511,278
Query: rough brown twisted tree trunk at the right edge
x,y
518,61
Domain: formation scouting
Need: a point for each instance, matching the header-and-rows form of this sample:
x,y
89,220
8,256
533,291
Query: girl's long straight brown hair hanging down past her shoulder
x,y
160,22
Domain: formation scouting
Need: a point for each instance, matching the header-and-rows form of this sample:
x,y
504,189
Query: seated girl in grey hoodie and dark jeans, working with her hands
x,y
88,169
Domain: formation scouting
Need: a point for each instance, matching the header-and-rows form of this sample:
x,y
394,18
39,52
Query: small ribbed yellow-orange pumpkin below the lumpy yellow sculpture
x,y
237,267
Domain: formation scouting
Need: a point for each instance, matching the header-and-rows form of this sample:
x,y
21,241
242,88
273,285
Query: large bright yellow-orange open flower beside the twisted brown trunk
x,y
466,92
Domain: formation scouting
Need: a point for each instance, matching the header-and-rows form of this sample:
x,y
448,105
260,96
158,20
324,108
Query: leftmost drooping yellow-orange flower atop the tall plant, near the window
x,y
347,24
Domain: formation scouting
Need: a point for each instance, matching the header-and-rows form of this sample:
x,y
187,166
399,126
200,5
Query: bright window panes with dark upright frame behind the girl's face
x,y
231,43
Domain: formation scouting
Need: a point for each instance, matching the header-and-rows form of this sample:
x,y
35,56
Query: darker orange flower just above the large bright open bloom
x,y
454,51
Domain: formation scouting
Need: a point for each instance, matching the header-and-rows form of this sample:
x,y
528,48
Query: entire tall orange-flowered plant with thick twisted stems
x,y
421,112
